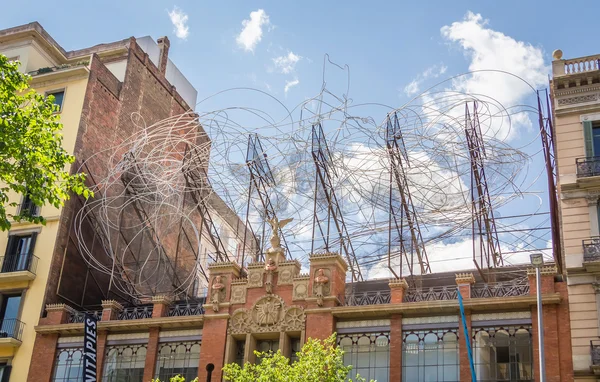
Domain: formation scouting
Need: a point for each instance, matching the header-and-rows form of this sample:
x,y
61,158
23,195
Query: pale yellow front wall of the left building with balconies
x,y
73,81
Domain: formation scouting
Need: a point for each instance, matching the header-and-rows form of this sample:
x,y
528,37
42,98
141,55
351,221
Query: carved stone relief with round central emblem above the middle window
x,y
268,314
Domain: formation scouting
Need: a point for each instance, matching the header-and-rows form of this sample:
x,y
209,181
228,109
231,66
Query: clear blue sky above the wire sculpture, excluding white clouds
x,y
386,43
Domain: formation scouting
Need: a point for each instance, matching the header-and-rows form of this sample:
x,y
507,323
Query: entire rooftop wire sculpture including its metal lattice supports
x,y
161,208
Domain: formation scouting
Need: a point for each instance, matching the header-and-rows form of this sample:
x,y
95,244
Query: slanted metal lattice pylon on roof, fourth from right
x,y
325,172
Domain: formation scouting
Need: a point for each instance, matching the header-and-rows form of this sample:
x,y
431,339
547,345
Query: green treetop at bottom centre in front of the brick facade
x,y
317,361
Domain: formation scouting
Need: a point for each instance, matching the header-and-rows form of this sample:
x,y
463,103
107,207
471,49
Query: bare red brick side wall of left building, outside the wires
x,y
105,122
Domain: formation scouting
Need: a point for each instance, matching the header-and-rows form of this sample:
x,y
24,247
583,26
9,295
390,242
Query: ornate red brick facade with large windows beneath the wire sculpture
x,y
389,331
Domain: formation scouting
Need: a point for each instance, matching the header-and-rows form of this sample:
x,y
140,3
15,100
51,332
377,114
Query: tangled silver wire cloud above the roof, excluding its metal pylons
x,y
158,161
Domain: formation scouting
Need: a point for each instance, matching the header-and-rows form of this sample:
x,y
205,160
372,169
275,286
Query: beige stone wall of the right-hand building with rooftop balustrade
x,y
576,99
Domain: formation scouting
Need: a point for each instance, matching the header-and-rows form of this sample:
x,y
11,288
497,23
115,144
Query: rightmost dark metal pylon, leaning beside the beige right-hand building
x,y
547,136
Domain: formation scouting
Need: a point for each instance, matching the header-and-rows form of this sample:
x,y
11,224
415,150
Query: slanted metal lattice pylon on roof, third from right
x,y
403,210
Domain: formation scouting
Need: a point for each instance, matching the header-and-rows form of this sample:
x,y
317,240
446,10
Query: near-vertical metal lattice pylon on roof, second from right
x,y
483,224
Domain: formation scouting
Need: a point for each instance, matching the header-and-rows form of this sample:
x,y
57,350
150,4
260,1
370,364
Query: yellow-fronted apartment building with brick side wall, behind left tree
x,y
97,89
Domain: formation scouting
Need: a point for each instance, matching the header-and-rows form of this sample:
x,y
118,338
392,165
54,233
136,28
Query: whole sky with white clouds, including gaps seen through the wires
x,y
395,50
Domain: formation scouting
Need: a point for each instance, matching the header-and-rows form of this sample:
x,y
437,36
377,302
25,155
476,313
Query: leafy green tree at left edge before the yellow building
x,y
32,159
